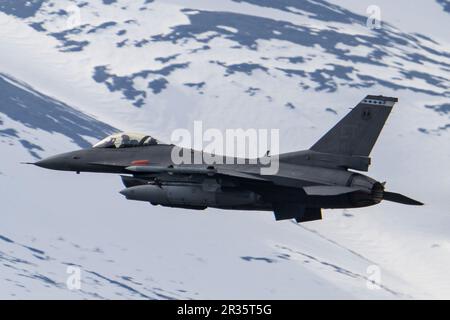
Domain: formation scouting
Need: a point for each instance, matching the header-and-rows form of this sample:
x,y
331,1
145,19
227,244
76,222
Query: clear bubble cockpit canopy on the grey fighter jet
x,y
126,140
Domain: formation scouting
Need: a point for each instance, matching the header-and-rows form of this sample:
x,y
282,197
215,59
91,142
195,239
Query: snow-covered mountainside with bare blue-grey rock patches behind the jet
x,y
72,72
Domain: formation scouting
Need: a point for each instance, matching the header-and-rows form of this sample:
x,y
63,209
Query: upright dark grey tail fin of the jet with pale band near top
x,y
357,132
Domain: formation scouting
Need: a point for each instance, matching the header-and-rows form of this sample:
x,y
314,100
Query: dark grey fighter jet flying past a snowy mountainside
x,y
322,177
